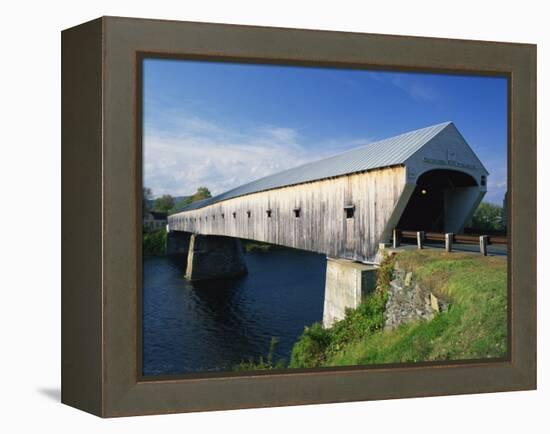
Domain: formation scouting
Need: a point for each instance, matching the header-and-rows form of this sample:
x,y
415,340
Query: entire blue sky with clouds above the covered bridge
x,y
221,124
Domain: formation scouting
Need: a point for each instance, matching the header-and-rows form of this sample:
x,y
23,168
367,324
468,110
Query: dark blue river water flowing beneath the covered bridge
x,y
193,327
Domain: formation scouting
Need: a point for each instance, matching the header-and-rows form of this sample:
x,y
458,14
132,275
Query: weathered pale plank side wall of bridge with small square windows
x,y
322,226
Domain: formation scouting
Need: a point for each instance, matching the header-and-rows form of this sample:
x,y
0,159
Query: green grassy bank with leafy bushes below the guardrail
x,y
474,327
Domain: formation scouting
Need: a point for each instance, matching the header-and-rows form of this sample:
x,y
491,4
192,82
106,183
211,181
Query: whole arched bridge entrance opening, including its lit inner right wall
x,y
439,202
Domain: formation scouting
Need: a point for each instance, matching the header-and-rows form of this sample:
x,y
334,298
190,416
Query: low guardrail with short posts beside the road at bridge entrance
x,y
449,238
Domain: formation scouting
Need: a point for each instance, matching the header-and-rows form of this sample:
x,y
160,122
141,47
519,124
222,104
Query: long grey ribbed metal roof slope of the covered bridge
x,y
383,153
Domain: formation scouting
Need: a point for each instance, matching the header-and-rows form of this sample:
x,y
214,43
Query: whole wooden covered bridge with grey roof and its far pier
x,y
343,206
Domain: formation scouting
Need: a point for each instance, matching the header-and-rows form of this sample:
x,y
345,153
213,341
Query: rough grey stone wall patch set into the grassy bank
x,y
408,301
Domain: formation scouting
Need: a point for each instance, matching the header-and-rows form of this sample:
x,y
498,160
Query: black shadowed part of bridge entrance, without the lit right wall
x,y
425,210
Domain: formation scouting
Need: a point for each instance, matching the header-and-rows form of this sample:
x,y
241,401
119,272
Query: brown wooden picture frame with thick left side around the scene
x,y
101,192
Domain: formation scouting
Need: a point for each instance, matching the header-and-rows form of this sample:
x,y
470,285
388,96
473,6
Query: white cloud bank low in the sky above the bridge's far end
x,y
201,153
